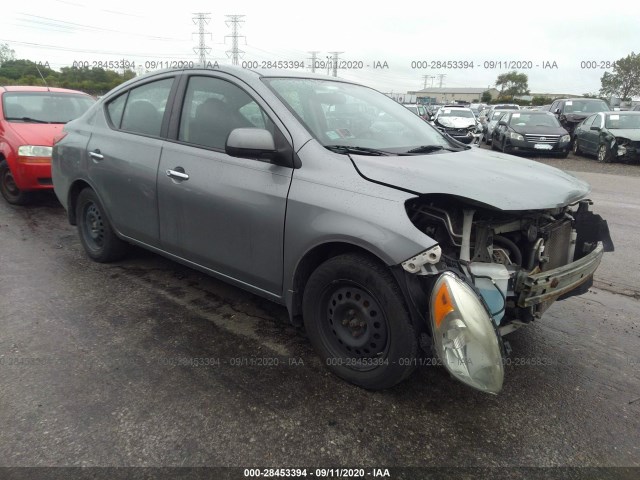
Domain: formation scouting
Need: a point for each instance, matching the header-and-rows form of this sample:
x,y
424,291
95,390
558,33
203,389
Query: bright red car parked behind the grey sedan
x,y
30,118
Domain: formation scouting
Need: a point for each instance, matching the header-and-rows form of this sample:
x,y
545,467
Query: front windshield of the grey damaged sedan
x,y
338,113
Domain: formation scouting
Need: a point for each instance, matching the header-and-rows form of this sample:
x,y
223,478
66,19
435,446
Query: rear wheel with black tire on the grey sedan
x,y
96,234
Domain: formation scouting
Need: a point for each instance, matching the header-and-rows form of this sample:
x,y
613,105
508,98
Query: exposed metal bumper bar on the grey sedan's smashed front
x,y
536,288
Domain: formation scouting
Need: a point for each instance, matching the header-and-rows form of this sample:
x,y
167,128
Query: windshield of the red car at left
x,y
44,107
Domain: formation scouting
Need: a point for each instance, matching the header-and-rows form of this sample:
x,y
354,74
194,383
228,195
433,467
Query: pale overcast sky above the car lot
x,y
578,41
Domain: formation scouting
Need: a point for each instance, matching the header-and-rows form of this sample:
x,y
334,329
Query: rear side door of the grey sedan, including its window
x,y
124,154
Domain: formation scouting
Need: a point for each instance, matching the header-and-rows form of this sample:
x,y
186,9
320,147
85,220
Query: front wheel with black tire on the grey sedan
x,y
357,321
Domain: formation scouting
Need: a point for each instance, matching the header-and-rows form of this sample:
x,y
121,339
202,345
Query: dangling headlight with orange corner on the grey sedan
x,y
464,335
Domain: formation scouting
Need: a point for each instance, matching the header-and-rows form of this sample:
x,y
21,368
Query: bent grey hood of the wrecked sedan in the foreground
x,y
501,181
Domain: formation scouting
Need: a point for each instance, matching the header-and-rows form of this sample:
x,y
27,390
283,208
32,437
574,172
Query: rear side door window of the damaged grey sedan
x,y
144,108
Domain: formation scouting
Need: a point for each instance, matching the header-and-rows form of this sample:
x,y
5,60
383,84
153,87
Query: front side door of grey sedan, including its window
x,y
221,212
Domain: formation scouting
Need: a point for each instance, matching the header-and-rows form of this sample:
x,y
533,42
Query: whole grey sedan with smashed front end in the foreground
x,y
385,238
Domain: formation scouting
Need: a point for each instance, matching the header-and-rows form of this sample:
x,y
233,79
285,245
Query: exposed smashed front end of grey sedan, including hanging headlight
x,y
494,271
